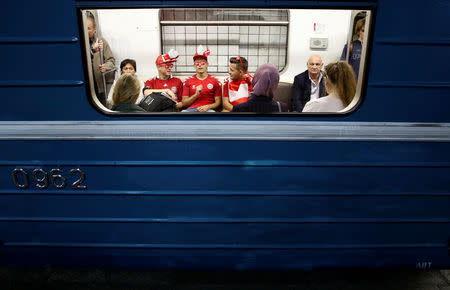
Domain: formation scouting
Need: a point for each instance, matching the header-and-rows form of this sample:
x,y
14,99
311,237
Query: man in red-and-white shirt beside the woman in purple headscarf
x,y
238,86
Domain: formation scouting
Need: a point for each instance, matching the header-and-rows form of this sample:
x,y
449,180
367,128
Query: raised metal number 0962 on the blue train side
x,y
43,178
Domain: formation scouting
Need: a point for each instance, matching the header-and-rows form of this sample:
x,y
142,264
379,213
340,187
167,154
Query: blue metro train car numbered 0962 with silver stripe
x,y
82,185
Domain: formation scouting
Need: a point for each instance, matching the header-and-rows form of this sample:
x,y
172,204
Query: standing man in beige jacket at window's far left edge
x,y
99,67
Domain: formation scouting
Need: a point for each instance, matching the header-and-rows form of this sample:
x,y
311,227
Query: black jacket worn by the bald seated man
x,y
301,91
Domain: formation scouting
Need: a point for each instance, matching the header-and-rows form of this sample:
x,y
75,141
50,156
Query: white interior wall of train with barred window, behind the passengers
x,y
285,38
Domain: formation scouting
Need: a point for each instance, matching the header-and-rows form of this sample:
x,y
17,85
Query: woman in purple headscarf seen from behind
x,y
264,83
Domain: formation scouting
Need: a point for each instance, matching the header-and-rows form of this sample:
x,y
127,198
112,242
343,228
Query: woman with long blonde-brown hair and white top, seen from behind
x,y
340,84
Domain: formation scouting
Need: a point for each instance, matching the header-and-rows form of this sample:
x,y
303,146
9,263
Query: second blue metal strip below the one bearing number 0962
x,y
226,235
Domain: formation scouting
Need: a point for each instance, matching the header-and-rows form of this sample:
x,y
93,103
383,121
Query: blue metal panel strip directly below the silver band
x,y
238,153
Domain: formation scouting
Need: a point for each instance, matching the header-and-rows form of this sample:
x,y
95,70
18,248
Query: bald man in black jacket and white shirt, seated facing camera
x,y
308,85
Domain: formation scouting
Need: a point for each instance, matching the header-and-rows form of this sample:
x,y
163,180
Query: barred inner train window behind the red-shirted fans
x,y
256,34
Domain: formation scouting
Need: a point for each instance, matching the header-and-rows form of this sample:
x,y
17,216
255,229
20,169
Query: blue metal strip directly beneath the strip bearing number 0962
x,y
222,207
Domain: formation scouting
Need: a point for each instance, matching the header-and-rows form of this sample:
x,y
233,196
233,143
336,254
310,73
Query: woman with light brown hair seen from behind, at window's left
x,y
126,92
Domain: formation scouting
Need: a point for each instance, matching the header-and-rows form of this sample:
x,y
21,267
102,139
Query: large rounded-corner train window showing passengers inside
x,y
298,43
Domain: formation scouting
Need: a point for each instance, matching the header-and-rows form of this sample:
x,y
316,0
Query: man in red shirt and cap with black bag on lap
x,y
165,82
